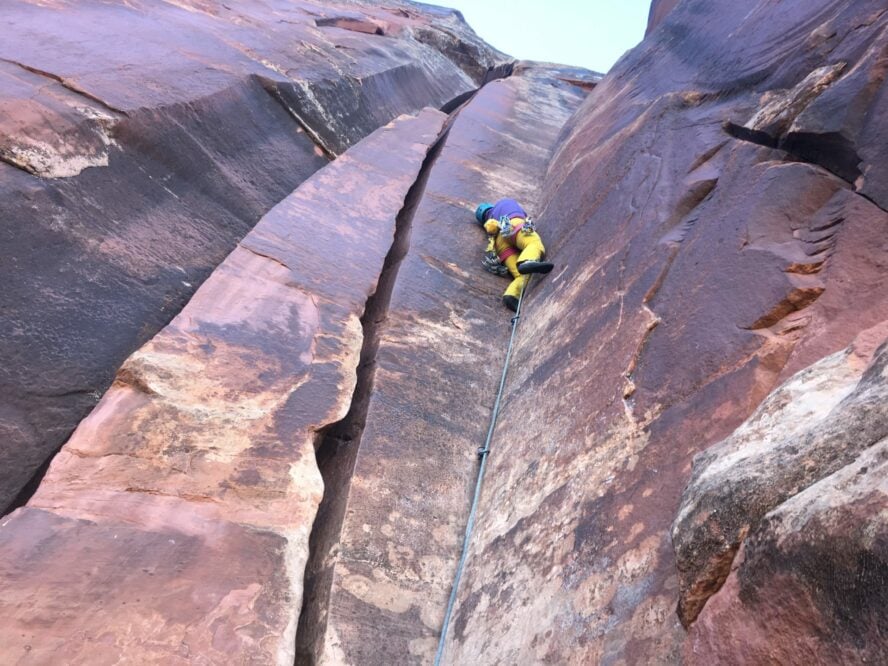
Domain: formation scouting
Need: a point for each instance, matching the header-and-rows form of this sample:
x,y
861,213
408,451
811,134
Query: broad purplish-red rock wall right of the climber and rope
x,y
718,223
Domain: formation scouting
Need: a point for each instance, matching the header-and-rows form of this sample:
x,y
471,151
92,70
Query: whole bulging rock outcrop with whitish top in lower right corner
x,y
802,490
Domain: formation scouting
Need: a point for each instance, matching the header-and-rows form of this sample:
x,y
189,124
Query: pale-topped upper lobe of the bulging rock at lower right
x,y
798,436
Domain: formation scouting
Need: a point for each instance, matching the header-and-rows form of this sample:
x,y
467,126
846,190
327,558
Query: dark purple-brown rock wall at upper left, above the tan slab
x,y
140,140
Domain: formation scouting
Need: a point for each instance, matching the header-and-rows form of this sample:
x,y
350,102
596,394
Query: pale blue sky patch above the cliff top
x,y
585,33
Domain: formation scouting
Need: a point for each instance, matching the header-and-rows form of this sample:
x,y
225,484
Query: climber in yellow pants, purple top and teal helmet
x,y
513,246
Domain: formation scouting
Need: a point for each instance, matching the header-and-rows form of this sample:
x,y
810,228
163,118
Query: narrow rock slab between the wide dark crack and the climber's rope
x,y
389,545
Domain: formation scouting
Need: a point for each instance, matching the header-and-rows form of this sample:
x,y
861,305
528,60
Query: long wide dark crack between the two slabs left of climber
x,y
338,445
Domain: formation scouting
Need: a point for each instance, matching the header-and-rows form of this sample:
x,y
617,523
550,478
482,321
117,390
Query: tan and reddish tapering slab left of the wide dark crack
x,y
173,526
